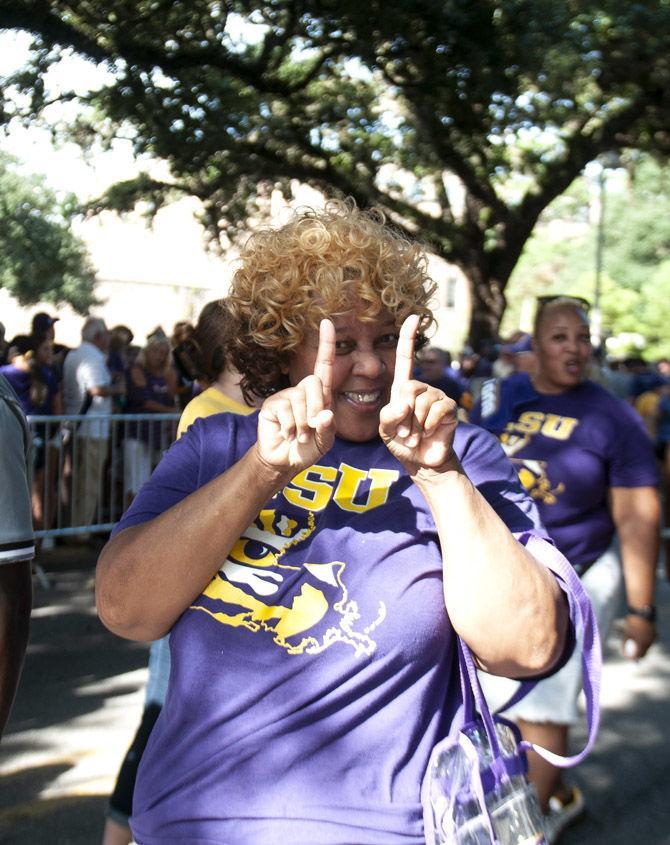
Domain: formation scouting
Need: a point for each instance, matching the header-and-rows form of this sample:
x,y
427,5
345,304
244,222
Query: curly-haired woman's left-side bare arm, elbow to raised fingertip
x,y
146,578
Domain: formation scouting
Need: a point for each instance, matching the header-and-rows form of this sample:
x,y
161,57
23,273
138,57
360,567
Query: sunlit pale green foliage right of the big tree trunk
x,y
635,283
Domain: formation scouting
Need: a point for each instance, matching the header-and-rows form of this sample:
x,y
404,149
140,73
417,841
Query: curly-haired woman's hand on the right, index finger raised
x,y
419,422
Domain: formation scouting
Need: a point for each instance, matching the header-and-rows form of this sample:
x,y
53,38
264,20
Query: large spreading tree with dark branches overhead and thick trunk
x,y
463,120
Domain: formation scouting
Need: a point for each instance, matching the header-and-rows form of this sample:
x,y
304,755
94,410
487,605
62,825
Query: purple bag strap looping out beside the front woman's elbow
x,y
585,622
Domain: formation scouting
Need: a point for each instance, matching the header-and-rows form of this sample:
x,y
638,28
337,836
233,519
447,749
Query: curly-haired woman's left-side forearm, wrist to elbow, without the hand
x,y
148,574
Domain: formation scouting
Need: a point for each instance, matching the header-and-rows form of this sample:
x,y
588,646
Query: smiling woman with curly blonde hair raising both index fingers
x,y
313,560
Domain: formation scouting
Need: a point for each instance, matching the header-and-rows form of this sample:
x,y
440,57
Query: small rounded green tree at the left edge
x,y
40,257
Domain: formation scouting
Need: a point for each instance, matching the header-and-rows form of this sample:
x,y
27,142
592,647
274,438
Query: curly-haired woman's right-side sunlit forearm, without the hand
x,y
506,606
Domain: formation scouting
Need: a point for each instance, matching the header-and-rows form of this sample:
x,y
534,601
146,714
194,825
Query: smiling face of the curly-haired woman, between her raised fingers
x,y
362,372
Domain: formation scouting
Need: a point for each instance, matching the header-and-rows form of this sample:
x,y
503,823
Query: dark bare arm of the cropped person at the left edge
x,y
15,604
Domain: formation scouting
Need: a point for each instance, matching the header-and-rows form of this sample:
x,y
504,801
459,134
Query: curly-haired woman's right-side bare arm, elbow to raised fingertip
x,y
506,606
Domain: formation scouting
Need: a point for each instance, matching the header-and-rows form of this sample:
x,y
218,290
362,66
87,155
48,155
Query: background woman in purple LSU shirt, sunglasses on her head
x,y
586,459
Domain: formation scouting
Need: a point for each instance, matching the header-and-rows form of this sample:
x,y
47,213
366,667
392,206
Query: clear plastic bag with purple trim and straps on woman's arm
x,y
475,791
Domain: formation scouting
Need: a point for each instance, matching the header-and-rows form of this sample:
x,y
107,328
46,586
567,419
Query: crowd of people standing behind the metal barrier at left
x,y
104,376
